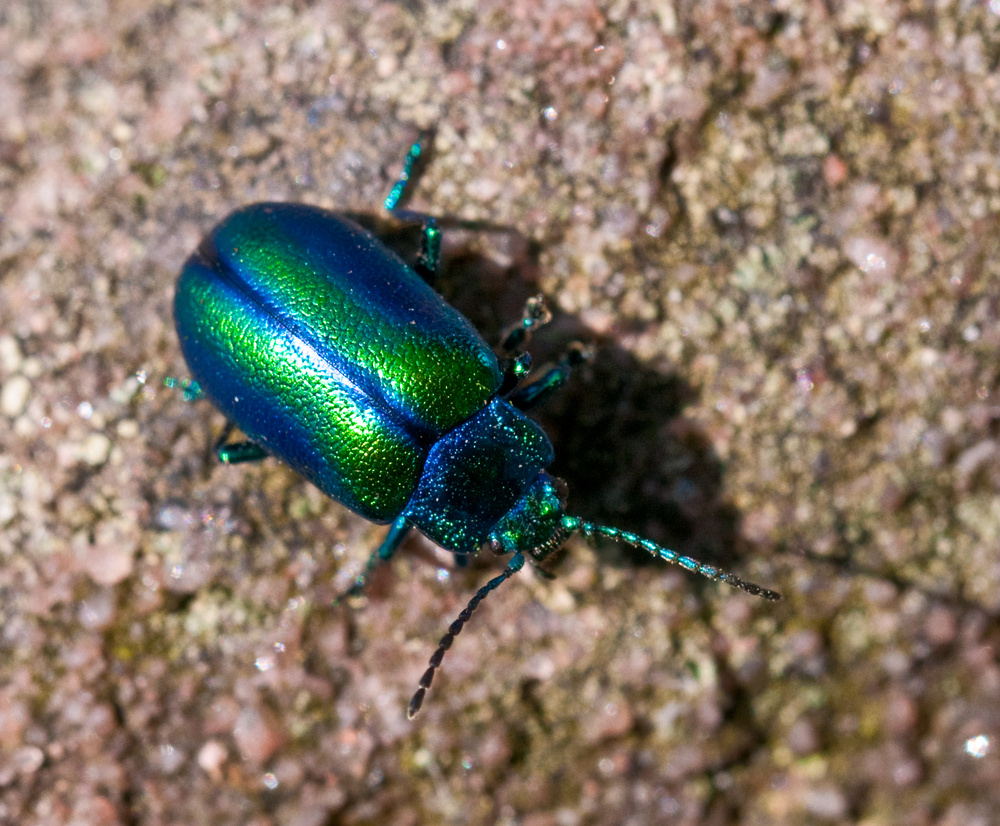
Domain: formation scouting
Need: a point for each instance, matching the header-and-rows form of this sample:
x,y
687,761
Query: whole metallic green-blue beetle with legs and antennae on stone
x,y
332,354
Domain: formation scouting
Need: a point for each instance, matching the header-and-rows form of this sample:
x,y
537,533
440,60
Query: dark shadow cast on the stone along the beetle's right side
x,y
628,457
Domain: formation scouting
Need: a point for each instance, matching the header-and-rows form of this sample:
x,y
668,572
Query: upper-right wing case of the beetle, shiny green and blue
x,y
348,295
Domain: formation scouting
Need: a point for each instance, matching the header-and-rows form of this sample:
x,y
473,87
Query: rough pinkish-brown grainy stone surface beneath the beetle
x,y
777,225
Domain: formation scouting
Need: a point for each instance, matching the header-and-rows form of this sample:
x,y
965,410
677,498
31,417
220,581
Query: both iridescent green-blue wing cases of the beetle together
x,y
328,351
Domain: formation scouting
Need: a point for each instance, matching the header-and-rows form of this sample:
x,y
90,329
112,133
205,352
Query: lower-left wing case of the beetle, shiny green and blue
x,y
277,387
